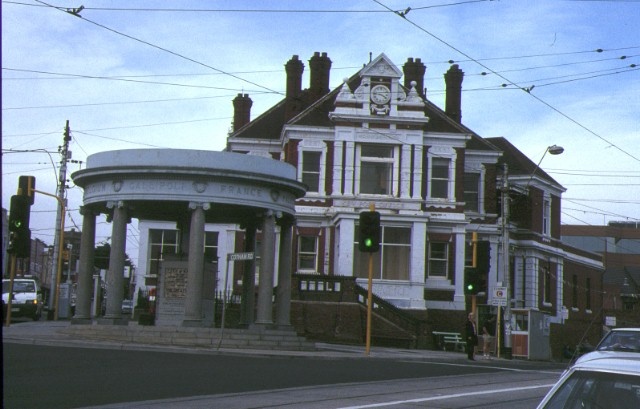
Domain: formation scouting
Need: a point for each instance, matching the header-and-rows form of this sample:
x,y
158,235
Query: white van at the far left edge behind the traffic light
x,y
26,300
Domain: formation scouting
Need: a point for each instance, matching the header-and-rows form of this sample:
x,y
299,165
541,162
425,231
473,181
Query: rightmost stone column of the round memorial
x,y
283,292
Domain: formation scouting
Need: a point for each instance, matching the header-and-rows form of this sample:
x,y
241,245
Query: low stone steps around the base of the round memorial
x,y
255,338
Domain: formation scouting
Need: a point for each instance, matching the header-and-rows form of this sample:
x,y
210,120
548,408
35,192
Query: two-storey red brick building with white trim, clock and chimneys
x,y
377,139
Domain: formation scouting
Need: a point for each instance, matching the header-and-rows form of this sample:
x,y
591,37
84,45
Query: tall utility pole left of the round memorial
x,y
58,244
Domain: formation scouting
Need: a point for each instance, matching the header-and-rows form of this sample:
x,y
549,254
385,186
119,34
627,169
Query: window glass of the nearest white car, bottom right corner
x,y
591,390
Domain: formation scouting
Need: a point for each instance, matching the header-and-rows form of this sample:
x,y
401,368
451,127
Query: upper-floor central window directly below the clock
x,y
377,170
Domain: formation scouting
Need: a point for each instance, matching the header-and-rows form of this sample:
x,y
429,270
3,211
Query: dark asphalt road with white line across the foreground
x,y
37,376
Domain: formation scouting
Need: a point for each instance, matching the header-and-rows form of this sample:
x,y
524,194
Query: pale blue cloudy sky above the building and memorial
x,y
162,74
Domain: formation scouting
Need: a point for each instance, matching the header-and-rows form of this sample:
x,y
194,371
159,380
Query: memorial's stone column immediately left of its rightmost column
x,y
264,314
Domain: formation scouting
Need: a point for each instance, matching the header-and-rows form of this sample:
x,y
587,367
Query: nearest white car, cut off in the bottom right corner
x,y
598,382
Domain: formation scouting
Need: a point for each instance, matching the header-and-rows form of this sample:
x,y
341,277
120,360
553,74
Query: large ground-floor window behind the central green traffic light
x,y
392,262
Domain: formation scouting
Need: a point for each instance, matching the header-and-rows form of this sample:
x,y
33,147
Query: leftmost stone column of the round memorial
x,y
85,273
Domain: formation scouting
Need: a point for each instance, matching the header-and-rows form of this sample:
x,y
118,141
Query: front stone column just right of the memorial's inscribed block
x,y
193,301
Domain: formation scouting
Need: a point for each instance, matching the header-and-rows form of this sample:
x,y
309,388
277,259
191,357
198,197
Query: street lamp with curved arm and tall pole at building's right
x,y
506,268
